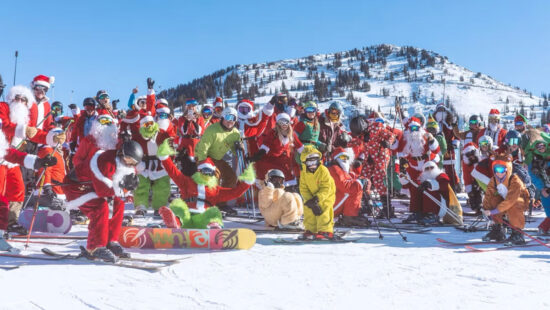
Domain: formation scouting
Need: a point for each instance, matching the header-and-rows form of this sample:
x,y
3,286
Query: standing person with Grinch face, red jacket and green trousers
x,y
152,176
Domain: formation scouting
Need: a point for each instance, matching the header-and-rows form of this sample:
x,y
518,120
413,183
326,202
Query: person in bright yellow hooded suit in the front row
x,y
319,192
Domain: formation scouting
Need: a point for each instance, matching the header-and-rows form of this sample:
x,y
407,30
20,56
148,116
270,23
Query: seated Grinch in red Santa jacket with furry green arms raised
x,y
199,193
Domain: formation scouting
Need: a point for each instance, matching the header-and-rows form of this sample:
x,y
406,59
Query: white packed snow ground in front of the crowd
x,y
369,273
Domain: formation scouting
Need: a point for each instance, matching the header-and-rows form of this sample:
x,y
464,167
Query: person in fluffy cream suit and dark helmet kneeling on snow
x,y
279,208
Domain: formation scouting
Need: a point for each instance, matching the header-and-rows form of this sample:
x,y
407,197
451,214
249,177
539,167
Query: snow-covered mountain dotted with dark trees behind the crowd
x,y
367,78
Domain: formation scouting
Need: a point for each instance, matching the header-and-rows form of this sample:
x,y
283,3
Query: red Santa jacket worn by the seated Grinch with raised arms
x,y
200,197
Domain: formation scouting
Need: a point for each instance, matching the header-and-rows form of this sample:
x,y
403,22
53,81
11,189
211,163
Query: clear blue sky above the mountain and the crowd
x,y
116,45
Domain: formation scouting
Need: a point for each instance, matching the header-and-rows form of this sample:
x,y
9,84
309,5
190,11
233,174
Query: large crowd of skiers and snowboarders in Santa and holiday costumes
x,y
289,158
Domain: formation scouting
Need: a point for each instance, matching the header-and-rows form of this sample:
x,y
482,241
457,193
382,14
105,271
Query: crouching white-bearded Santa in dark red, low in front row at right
x,y
436,198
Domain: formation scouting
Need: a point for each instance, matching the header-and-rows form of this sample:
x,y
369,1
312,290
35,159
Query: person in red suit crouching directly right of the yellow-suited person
x,y
349,190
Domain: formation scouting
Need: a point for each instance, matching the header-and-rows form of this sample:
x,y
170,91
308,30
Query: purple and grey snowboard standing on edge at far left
x,y
51,221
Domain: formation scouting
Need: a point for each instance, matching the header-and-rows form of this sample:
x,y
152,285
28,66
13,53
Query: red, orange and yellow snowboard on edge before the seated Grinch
x,y
172,238
